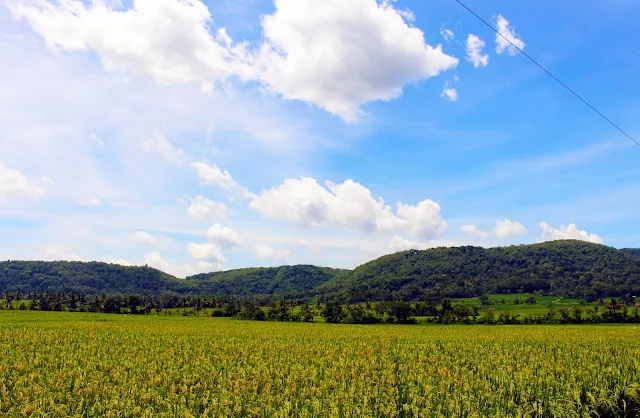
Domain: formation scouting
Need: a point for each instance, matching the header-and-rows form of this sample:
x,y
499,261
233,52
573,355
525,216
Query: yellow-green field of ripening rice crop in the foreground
x,y
75,364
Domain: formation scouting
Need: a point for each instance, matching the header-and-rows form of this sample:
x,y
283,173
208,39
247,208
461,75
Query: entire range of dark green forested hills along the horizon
x,y
562,268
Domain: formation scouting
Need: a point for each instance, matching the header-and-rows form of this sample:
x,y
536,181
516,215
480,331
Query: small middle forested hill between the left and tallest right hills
x,y
286,281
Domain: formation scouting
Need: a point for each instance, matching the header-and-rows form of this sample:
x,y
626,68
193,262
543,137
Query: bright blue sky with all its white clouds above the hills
x,y
198,136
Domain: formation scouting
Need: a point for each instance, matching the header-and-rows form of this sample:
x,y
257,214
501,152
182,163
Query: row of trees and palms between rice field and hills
x,y
444,311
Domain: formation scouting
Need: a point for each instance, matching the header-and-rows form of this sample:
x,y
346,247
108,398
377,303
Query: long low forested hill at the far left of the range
x,y
91,278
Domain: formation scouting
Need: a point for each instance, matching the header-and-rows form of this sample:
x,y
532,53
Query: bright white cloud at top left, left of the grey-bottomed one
x,y
166,39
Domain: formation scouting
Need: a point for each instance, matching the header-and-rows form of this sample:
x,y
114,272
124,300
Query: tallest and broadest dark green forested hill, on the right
x,y
562,268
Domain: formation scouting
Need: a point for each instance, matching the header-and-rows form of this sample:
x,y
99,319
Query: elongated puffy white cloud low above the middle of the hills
x,y
347,205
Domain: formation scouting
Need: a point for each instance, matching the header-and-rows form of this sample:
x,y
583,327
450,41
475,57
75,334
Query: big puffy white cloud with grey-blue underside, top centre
x,y
340,54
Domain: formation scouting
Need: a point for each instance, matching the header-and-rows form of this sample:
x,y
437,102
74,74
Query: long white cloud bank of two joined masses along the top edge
x,y
334,54
